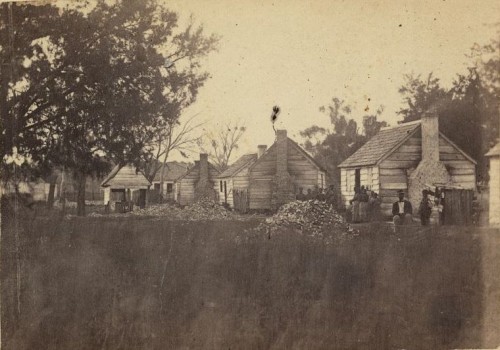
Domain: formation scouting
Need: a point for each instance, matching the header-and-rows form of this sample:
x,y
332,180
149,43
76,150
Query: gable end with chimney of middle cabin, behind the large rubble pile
x,y
276,176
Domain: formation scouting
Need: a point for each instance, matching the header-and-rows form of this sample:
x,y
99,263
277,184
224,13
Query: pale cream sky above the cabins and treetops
x,y
300,54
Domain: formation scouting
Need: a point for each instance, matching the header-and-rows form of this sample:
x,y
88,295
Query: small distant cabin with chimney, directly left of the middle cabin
x,y
198,182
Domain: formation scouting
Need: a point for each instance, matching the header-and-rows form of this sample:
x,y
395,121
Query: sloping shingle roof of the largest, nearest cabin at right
x,y
380,144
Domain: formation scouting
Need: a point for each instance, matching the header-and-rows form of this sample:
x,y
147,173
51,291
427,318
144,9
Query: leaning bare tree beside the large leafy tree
x,y
175,136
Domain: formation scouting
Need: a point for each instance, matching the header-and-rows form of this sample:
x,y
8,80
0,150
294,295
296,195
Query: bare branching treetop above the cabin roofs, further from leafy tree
x,y
222,143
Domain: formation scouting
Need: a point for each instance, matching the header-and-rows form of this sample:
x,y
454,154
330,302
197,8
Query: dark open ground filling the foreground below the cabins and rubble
x,y
140,283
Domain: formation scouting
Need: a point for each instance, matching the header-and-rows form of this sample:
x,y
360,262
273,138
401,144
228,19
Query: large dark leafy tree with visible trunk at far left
x,y
103,97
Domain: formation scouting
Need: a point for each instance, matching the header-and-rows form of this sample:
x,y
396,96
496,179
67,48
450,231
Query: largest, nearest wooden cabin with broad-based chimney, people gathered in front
x,y
411,157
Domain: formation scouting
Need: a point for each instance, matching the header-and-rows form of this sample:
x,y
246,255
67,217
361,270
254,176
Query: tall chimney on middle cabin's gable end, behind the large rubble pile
x,y
283,190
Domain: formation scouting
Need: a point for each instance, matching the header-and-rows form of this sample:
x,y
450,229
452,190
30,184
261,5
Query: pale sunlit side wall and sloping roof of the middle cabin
x,y
235,178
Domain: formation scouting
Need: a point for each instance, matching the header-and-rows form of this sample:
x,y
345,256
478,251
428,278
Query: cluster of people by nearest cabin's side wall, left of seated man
x,y
365,207
